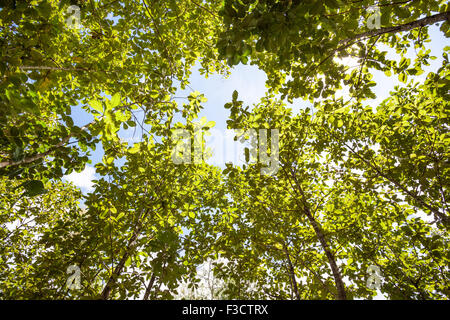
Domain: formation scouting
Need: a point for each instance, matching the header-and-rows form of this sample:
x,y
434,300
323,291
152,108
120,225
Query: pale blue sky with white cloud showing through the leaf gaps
x,y
249,81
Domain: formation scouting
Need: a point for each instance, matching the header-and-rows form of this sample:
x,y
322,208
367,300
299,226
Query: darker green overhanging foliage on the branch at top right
x,y
297,42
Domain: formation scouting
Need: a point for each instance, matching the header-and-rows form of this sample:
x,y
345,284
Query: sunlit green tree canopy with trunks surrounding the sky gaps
x,y
353,186
